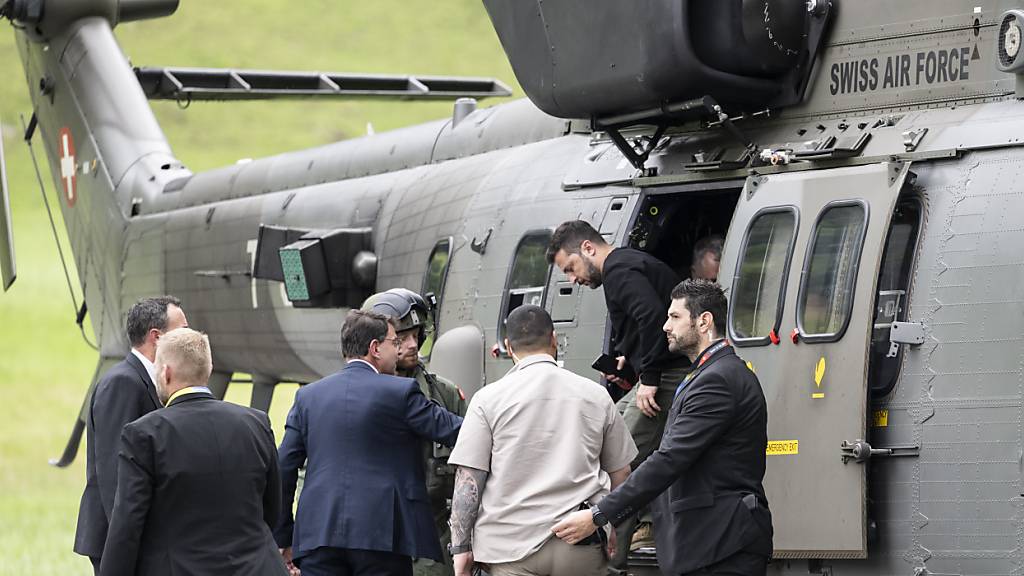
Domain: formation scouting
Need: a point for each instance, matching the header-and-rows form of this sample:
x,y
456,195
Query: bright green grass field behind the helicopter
x,y
46,366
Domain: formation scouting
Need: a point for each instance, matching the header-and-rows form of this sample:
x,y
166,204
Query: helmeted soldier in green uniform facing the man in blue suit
x,y
411,314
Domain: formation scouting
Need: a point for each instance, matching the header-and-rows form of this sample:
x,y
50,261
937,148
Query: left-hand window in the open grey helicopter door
x,y
760,277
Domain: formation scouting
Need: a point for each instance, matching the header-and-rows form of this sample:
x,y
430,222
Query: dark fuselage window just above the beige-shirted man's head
x,y
528,277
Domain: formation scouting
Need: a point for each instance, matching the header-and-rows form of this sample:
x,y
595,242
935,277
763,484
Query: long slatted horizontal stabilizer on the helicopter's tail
x,y
197,85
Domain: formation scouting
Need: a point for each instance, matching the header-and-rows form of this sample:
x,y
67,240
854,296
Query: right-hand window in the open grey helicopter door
x,y
831,272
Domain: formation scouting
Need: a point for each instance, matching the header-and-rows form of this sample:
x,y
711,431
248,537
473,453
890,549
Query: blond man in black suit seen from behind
x,y
198,485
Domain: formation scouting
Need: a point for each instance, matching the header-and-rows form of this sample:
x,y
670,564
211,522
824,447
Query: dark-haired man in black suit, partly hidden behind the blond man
x,y
124,394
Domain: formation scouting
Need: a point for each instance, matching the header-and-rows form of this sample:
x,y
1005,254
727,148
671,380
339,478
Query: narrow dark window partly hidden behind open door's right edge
x,y
891,303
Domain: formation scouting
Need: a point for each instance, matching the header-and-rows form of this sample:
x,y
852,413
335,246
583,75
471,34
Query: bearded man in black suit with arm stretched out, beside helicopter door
x,y
711,514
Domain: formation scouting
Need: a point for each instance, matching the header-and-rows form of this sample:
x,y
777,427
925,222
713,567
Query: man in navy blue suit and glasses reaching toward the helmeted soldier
x,y
364,508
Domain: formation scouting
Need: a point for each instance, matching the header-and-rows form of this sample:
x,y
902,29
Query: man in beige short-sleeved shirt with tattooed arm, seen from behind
x,y
535,446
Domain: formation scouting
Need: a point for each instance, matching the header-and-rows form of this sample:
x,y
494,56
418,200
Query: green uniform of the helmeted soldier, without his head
x,y
441,477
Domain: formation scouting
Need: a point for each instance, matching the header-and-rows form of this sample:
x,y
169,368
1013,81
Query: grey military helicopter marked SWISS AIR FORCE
x,y
863,160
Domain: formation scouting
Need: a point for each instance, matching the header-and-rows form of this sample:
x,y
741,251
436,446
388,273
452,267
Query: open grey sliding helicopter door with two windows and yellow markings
x,y
801,263
